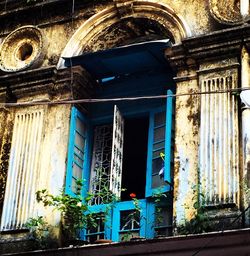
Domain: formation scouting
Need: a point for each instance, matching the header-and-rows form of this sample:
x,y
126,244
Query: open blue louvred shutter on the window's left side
x,y
77,151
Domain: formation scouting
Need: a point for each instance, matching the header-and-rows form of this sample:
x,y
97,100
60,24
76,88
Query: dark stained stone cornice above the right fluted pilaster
x,y
212,46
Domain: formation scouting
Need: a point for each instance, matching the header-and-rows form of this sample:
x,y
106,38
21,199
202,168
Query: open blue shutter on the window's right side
x,y
160,149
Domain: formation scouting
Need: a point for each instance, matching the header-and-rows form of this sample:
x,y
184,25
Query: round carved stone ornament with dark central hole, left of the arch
x,y
22,49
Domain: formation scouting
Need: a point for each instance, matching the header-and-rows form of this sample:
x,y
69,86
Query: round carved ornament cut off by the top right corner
x,y
230,12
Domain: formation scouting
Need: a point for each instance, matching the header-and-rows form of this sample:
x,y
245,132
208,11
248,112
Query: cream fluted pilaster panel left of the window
x,y
23,170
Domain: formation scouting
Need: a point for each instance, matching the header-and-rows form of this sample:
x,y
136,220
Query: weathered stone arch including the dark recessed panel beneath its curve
x,y
158,21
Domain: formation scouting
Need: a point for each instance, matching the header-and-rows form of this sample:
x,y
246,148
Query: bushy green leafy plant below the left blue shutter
x,y
74,209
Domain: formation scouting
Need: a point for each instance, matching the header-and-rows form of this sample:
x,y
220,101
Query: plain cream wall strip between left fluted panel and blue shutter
x,y
54,157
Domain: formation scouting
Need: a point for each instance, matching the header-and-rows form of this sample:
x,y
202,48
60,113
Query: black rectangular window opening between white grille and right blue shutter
x,y
135,157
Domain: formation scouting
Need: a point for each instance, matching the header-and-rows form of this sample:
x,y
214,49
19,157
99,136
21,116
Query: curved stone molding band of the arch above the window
x,y
151,10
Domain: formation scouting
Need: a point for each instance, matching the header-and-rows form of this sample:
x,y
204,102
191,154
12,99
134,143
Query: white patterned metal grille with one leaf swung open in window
x,y
106,171
